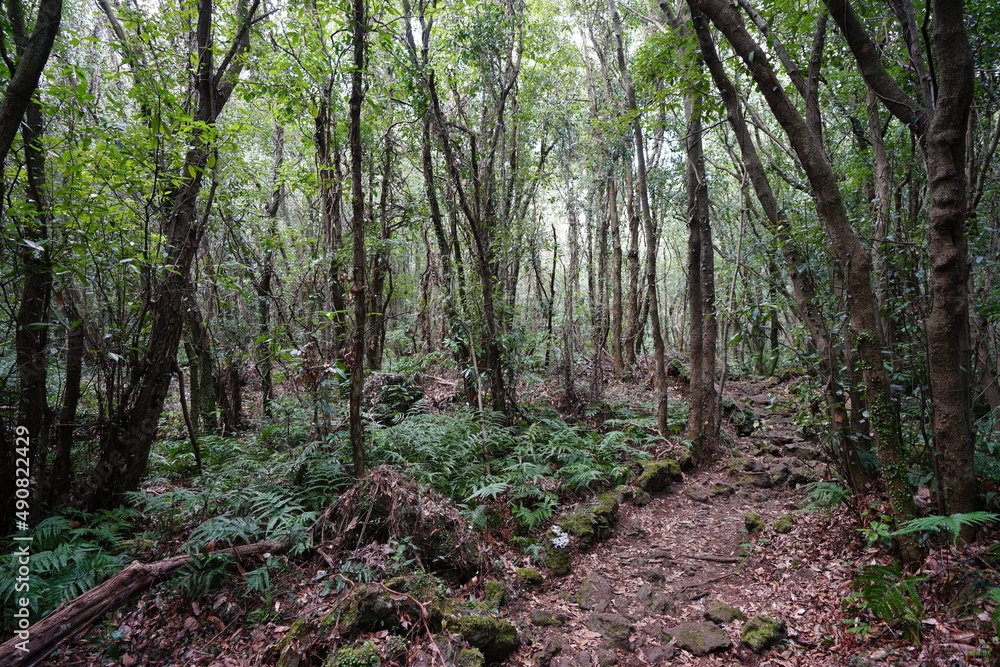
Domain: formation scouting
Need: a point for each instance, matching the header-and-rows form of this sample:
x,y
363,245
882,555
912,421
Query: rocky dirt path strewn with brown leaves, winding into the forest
x,y
681,577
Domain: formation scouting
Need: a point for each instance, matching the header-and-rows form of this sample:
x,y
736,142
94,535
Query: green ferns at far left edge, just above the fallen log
x,y
65,561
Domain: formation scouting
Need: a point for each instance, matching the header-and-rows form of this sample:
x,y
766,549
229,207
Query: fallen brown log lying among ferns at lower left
x,y
50,633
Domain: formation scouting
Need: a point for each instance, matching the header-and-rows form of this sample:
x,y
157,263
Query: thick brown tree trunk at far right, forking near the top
x,y
941,134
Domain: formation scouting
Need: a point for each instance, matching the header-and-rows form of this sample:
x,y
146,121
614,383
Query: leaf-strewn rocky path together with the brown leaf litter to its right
x,y
693,545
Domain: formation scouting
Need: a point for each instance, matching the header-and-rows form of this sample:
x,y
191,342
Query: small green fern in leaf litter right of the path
x,y
890,596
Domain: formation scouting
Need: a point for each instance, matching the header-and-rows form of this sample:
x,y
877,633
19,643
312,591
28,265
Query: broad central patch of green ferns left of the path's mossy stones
x,y
478,461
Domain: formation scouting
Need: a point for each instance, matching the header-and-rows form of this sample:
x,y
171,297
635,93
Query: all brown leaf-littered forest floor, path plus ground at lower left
x,y
666,563
